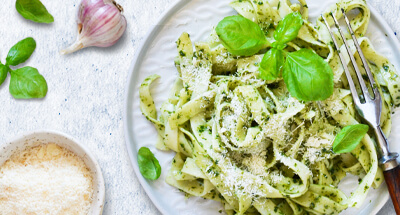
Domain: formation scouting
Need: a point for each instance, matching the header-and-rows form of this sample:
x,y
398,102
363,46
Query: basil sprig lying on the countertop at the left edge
x,y
26,82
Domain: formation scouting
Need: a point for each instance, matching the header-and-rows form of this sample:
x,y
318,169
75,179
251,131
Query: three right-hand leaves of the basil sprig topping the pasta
x,y
307,76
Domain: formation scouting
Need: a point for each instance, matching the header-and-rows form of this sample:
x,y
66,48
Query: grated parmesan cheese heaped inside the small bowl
x,y
46,179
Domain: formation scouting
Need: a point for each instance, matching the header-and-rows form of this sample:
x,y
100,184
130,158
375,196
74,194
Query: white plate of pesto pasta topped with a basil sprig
x,y
241,103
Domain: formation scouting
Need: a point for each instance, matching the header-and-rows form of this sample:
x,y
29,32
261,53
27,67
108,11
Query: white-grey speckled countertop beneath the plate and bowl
x,y
87,89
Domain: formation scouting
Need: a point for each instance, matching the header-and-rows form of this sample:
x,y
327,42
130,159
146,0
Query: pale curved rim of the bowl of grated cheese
x,y
97,204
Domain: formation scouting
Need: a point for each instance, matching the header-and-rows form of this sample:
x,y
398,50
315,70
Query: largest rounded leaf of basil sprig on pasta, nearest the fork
x,y
307,76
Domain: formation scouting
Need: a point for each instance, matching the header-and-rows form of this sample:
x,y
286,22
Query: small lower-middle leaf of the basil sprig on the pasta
x,y
272,64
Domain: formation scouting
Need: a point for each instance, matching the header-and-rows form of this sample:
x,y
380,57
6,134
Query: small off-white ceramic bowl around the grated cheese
x,y
36,138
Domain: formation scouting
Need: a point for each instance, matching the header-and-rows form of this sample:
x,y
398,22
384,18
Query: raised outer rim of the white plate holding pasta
x,y
148,39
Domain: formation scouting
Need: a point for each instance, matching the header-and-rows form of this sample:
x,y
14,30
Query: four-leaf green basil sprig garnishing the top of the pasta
x,y
307,76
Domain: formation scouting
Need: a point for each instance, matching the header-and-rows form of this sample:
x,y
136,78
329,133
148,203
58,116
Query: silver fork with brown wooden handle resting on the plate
x,y
369,108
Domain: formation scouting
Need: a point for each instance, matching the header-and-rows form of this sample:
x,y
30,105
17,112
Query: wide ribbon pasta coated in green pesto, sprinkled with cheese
x,y
249,144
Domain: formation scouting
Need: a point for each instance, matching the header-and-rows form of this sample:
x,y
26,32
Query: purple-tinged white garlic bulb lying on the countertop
x,y
100,23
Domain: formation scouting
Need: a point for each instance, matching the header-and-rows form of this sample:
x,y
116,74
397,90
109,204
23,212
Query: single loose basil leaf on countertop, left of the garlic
x,y
33,10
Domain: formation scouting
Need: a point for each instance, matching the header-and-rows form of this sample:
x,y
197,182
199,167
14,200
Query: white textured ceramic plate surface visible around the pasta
x,y
156,56
